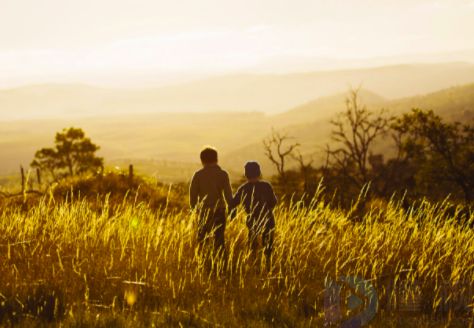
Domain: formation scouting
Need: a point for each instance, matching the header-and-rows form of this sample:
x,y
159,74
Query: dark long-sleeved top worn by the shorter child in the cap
x,y
259,200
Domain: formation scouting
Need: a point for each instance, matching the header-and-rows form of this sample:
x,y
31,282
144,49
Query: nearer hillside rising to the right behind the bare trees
x,y
311,128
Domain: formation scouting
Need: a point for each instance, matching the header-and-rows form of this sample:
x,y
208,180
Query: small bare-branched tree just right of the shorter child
x,y
276,141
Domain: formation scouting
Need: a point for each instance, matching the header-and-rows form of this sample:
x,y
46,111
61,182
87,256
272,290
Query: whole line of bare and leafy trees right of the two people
x,y
428,157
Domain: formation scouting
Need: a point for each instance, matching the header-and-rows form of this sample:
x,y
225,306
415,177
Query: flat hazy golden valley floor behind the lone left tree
x,y
171,137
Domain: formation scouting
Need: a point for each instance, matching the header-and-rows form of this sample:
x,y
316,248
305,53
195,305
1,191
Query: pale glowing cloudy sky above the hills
x,y
98,40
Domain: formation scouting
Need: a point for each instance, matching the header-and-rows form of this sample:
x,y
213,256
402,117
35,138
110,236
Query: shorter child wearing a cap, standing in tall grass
x,y
259,201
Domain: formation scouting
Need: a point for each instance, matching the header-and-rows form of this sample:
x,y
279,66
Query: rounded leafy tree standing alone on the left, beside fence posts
x,y
73,152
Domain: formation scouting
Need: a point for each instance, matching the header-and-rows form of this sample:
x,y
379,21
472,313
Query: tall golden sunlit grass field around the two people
x,y
97,263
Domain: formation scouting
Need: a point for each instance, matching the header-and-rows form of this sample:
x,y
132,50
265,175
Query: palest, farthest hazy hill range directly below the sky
x,y
270,94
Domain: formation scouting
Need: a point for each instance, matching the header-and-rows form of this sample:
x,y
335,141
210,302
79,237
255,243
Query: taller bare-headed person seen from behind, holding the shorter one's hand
x,y
211,187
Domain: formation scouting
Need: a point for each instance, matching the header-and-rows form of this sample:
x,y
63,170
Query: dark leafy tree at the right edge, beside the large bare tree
x,y
443,152
